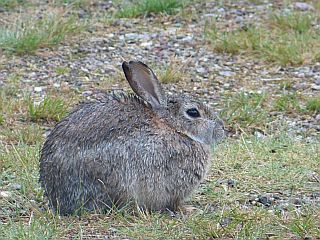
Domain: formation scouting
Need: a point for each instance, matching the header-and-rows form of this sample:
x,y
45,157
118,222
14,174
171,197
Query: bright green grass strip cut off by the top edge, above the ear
x,y
146,7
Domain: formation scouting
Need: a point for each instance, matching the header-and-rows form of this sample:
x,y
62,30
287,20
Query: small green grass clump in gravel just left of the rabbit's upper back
x,y
50,109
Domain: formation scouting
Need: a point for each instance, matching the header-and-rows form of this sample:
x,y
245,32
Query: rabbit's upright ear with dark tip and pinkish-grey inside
x,y
144,83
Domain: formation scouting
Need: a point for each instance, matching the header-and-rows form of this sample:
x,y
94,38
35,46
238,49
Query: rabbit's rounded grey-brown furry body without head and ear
x,y
117,150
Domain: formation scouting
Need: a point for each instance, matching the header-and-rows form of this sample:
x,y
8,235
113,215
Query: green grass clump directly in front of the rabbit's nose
x,y
245,110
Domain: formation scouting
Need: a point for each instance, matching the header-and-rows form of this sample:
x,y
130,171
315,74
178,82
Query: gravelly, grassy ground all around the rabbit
x,y
255,62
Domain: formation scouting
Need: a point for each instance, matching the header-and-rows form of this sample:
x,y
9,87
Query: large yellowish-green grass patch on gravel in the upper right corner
x,y
286,39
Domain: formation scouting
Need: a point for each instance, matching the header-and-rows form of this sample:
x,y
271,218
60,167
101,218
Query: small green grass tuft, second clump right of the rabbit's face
x,y
287,102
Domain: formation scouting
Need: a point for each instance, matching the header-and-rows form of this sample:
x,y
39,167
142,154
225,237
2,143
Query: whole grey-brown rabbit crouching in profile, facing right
x,y
146,148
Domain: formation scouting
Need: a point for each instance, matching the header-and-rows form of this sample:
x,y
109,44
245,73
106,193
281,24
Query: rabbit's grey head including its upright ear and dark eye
x,y
184,114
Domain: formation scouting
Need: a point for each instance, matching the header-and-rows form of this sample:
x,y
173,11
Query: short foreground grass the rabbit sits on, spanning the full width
x,y
271,165
